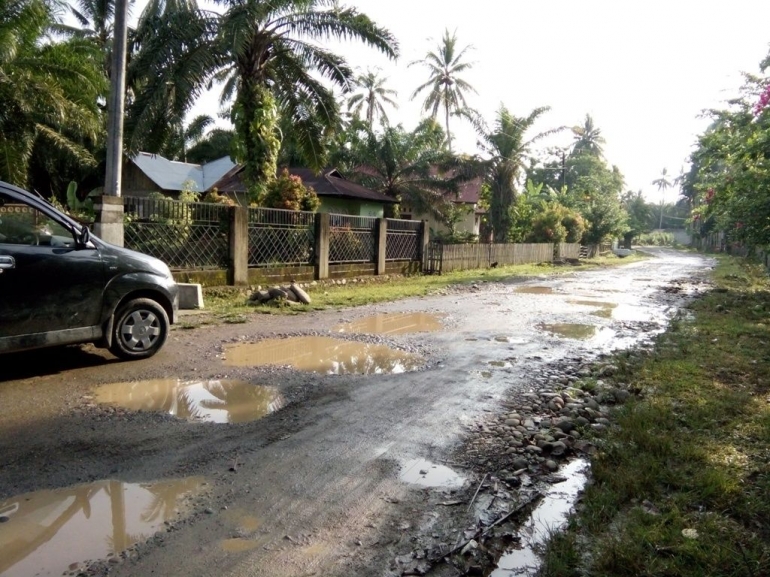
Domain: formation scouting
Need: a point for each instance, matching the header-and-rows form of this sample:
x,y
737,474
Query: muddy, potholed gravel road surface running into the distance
x,y
316,486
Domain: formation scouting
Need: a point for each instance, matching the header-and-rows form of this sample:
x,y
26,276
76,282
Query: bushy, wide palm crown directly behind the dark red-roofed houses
x,y
410,167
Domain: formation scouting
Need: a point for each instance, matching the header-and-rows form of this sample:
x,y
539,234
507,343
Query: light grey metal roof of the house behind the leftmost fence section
x,y
171,174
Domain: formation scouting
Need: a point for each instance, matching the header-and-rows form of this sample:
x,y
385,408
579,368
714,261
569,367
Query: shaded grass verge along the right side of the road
x,y
681,486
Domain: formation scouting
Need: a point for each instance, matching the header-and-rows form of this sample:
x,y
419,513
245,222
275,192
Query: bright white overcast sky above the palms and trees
x,y
644,70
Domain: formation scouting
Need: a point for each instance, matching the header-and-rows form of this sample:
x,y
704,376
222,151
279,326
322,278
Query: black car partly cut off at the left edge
x,y
61,285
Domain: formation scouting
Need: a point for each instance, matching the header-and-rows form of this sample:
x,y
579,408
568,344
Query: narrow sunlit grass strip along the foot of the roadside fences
x,y
228,302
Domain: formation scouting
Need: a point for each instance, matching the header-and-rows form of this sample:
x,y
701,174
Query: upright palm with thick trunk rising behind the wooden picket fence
x,y
509,149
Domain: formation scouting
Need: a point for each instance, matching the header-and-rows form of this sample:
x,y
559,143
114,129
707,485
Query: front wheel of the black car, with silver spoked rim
x,y
141,327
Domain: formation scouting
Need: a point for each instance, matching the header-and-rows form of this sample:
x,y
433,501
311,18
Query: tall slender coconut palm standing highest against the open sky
x,y
445,87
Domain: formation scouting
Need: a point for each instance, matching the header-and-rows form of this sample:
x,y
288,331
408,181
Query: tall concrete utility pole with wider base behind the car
x,y
109,208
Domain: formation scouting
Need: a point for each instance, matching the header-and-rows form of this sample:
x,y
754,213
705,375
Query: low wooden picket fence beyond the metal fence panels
x,y
451,257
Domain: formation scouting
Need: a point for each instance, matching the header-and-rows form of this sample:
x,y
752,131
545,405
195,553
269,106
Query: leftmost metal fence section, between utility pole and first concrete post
x,y
185,235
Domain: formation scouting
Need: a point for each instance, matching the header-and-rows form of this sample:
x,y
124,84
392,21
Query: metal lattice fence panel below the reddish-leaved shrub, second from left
x,y
280,237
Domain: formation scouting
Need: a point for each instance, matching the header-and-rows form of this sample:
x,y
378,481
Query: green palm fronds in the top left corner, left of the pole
x,y
48,91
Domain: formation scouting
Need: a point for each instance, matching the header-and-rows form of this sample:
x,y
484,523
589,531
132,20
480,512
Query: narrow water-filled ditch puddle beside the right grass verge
x,y
549,516
